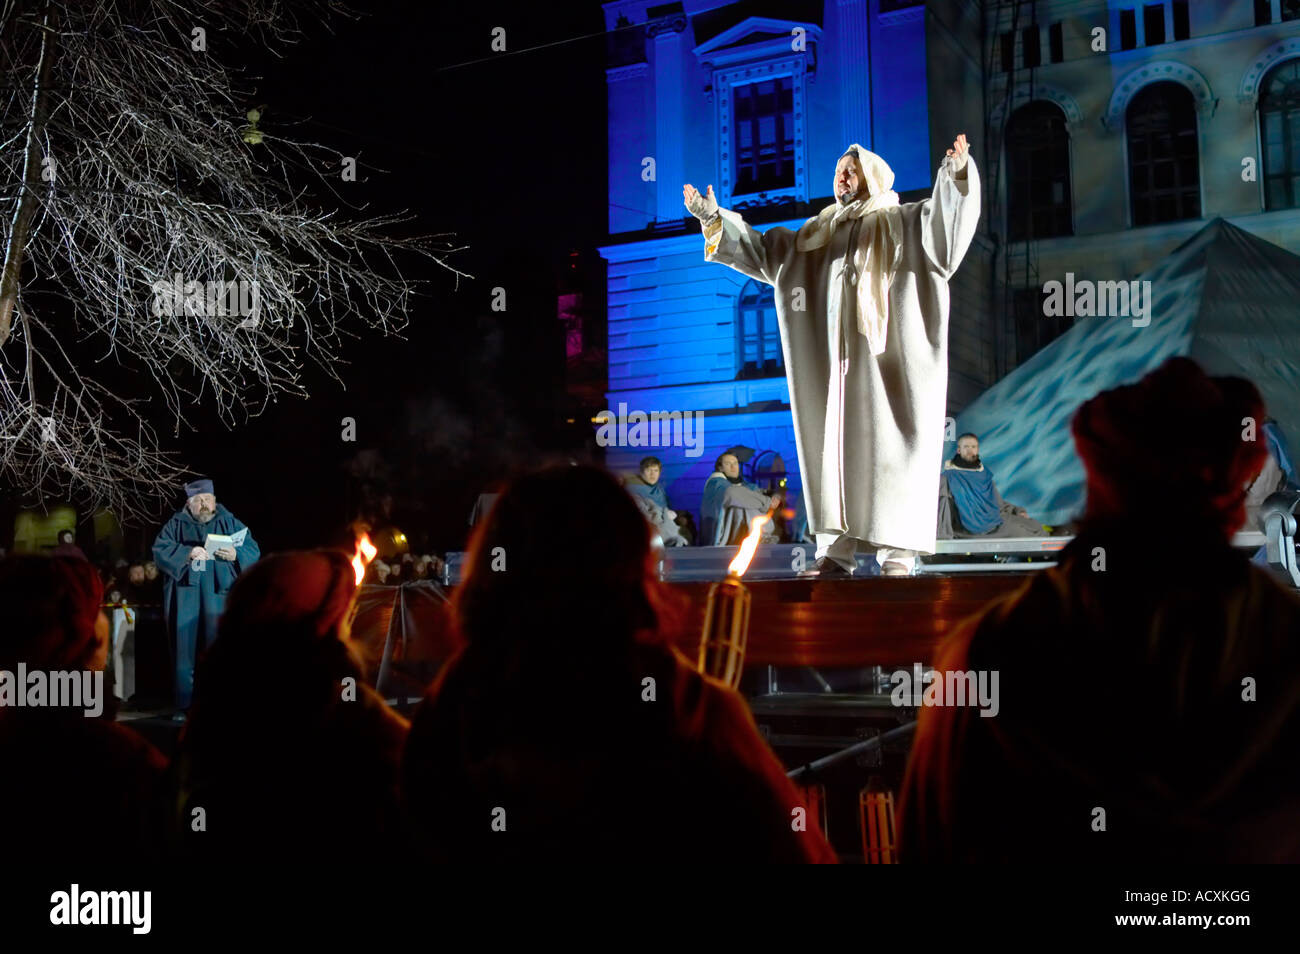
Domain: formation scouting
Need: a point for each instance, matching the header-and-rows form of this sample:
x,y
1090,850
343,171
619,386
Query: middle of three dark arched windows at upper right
x,y
1164,163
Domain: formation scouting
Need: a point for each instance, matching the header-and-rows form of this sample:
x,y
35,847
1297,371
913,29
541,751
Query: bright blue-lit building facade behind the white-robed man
x,y
861,76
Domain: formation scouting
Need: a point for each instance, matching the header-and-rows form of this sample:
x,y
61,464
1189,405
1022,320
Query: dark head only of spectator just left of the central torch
x,y
579,588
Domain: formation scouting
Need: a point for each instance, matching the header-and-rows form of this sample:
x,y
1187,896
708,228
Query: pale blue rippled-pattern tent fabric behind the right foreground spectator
x,y
1225,298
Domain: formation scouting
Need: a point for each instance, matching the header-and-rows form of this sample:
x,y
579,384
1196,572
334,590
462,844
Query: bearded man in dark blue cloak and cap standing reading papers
x,y
194,582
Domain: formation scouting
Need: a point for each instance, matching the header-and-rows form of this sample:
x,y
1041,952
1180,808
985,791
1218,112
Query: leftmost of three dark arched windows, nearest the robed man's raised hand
x,y
1038,174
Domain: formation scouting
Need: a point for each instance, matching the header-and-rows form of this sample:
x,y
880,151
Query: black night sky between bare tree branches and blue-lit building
x,y
505,150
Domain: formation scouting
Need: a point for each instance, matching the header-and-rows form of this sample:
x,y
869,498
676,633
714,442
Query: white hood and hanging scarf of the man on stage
x,y
879,246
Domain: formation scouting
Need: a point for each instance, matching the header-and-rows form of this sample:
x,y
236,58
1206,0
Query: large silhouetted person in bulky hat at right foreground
x,y
1150,705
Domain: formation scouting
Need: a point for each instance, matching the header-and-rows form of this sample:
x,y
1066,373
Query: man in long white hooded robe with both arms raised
x,y
865,340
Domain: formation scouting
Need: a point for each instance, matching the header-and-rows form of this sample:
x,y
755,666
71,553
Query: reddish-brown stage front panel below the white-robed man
x,y
853,623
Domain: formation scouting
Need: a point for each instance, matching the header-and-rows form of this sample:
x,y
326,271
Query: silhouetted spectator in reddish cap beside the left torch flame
x,y
324,770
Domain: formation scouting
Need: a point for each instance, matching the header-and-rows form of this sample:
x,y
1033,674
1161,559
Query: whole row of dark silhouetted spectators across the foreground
x,y
1160,696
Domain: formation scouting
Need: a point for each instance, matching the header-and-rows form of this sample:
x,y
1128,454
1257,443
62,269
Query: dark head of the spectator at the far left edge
x,y
53,617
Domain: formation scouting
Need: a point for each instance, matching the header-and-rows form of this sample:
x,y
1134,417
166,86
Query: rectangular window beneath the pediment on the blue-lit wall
x,y
765,136
